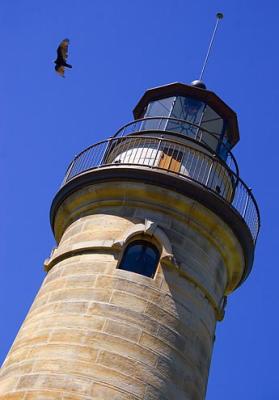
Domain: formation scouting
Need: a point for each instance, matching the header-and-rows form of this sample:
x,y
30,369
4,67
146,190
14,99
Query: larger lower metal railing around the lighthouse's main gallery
x,y
162,153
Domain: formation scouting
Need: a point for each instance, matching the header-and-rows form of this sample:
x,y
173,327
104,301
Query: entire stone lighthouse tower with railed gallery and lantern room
x,y
154,229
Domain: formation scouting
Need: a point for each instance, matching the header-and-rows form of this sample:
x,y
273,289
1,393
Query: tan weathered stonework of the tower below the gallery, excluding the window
x,y
97,332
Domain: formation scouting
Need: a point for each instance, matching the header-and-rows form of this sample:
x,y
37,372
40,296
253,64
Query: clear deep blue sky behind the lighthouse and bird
x,y
119,49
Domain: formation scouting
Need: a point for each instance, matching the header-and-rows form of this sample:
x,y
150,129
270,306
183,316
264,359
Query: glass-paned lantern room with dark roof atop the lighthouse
x,y
192,111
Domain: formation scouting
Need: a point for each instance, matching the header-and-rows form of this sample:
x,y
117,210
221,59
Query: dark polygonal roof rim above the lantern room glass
x,y
181,89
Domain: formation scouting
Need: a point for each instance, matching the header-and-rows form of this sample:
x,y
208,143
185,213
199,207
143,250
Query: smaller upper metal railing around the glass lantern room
x,y
181,128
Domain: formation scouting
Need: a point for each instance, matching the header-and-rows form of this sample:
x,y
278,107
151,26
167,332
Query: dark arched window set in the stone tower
x,y
141,257
